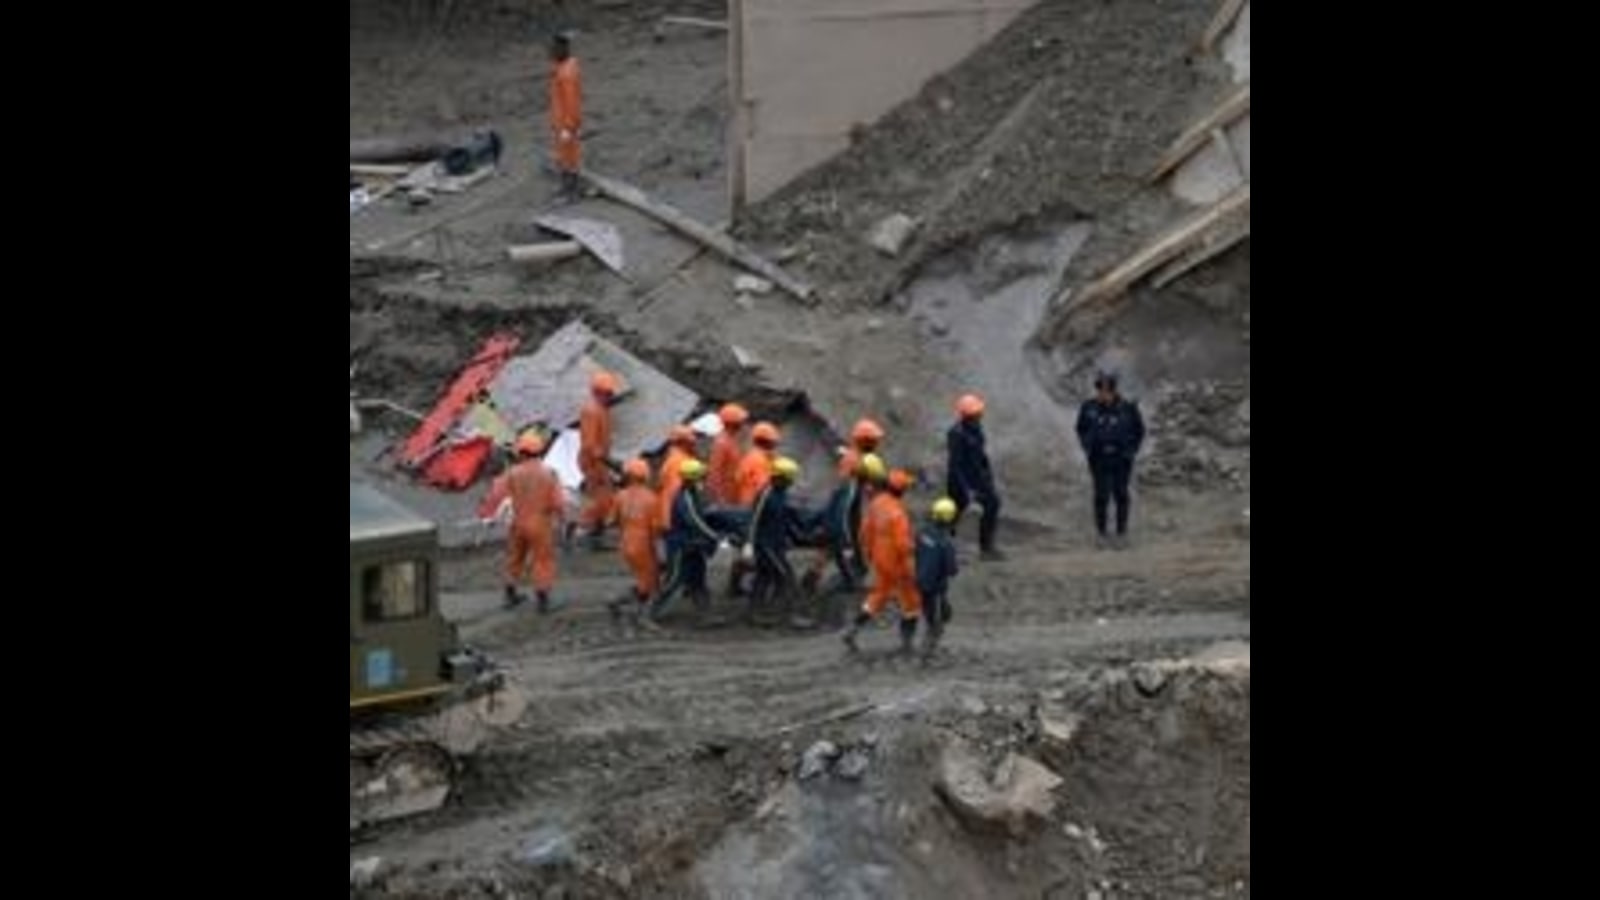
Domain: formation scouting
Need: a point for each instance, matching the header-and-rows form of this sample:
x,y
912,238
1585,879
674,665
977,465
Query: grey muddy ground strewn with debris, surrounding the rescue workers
x,y
668,765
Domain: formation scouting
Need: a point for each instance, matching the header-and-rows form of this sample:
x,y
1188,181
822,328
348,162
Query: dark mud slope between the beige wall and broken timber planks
x,y
1063,111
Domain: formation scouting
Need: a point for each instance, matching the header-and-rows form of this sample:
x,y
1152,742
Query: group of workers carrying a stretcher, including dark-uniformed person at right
x,y
738,497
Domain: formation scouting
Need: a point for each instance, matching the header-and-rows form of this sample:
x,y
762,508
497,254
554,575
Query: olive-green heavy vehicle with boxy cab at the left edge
x,y
420,701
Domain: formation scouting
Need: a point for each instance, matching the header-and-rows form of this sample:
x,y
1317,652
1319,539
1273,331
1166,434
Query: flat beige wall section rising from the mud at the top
x,y
810,71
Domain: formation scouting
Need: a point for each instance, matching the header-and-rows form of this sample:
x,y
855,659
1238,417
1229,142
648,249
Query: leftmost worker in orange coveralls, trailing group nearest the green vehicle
x,y
537,508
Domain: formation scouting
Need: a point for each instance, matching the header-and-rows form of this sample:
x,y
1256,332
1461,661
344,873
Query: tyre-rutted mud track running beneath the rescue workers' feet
x,y
614,717
